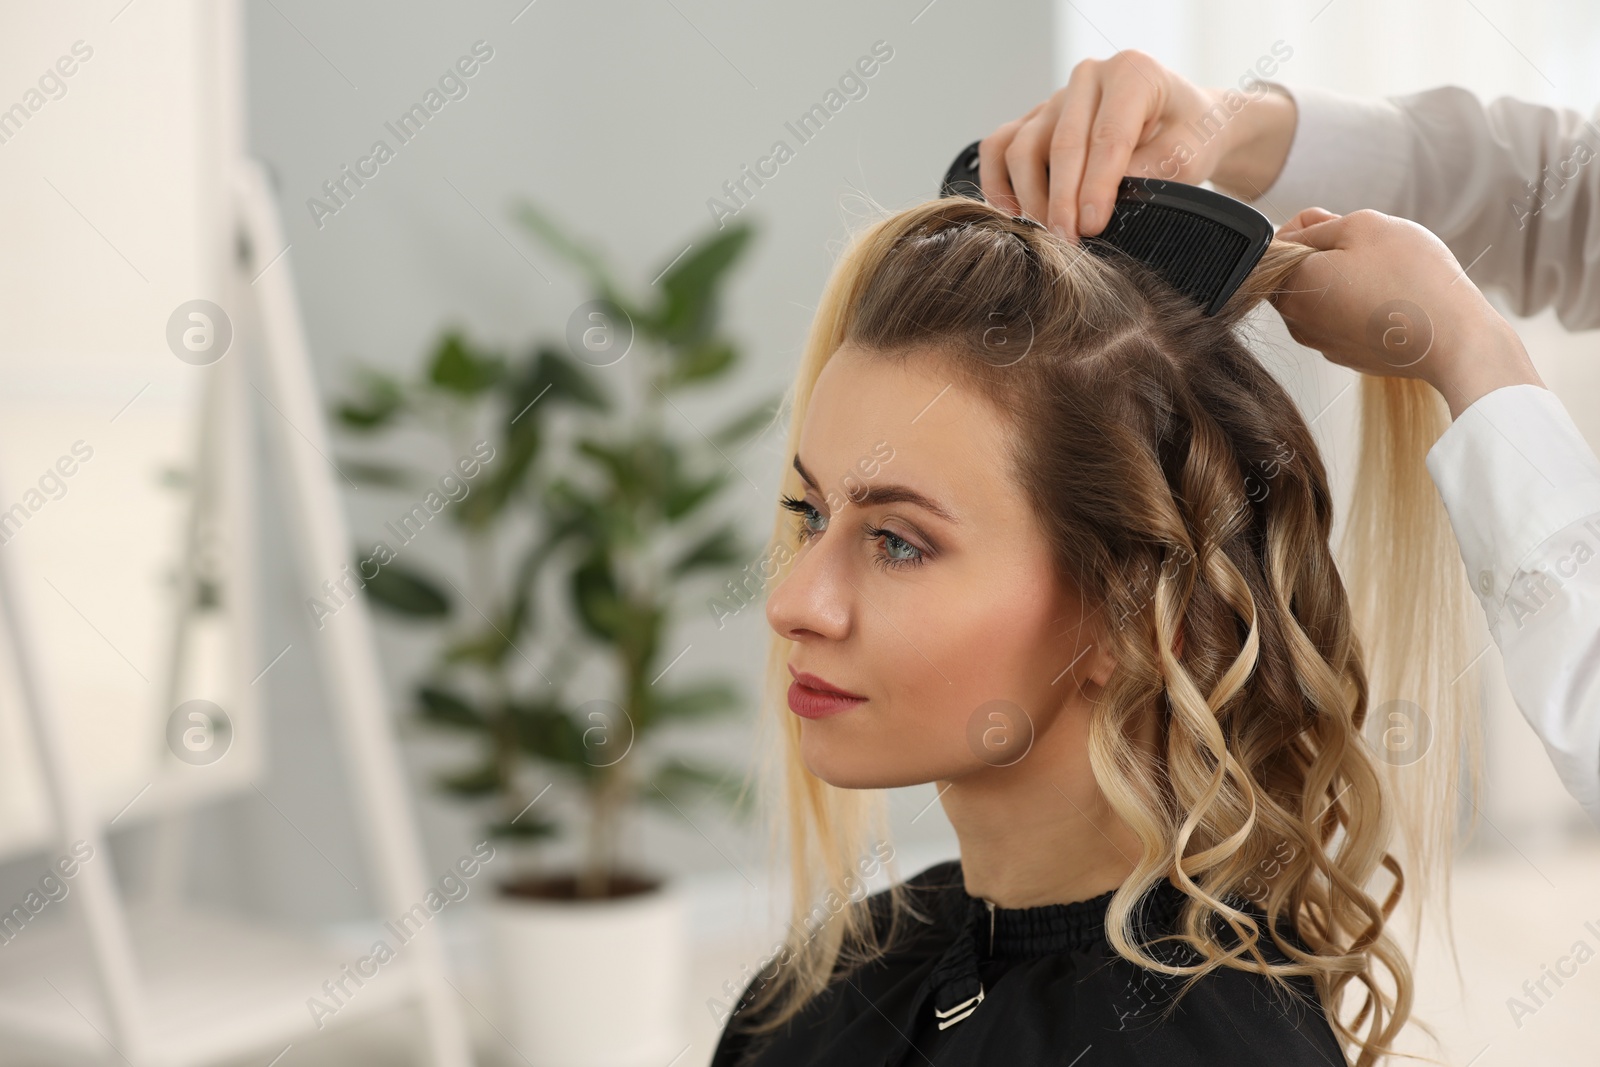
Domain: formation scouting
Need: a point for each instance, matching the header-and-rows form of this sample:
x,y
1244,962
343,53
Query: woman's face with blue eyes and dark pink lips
x,y
924,585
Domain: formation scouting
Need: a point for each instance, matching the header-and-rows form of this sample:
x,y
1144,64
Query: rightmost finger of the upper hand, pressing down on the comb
x,y
1130,100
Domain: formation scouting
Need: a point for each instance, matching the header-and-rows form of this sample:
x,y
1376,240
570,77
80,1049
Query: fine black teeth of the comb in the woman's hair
x,y
1193,254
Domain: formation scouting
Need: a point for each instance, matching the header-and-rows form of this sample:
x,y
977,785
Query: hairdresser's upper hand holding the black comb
x,y
1132,116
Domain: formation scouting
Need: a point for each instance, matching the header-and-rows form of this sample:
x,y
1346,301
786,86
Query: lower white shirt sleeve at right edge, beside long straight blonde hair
x,y
1522,489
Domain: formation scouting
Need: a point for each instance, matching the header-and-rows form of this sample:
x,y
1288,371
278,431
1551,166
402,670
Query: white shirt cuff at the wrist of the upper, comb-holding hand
x,y
1348,154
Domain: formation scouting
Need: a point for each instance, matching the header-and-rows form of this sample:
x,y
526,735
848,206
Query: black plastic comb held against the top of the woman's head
x,y
1204,244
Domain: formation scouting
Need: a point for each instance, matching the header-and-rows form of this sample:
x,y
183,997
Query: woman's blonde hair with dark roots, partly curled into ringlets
x,y
1183,495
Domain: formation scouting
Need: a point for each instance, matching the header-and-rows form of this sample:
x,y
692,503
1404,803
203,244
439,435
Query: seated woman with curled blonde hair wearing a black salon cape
x,y
1060,545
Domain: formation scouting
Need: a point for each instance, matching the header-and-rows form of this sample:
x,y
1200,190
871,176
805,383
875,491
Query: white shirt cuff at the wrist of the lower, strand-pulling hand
x,y
1513,471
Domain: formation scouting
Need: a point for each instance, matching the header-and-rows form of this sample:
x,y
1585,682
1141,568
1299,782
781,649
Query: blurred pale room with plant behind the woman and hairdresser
x,y
226,385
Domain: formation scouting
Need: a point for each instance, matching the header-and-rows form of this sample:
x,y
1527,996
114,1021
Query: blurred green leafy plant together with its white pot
x,y
590,481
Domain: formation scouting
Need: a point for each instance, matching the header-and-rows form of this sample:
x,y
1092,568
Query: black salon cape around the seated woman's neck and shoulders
x,y
1055,994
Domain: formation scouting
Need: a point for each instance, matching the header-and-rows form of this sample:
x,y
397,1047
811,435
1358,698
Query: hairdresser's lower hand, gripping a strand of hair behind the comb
x,y
1385,297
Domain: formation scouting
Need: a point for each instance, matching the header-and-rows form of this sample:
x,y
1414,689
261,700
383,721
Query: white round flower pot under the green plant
x,y
593,983
